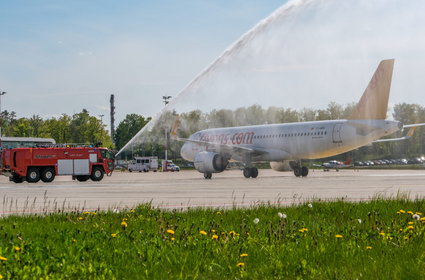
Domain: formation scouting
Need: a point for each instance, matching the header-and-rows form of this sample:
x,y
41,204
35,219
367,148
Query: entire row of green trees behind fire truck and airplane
x,y
85,128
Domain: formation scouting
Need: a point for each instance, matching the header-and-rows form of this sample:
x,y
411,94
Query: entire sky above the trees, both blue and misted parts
x,y
61,57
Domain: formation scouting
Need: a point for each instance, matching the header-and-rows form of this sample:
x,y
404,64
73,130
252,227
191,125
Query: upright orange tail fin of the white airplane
x,y
373,104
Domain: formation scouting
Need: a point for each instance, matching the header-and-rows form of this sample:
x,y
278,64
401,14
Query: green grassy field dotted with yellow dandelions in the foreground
x,y
337,240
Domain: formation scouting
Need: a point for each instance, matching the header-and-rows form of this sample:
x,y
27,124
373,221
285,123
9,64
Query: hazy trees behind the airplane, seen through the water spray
x,y
190,122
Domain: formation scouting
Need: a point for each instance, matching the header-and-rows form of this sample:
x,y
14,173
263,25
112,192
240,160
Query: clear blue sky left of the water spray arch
x,y
58,57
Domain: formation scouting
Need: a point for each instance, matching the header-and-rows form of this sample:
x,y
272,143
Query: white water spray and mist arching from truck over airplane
x,y
306,54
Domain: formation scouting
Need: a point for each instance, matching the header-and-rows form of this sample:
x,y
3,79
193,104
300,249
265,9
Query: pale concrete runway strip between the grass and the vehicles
x,y
184,189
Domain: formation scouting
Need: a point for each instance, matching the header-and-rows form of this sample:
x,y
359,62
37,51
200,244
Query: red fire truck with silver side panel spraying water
x,y
33,164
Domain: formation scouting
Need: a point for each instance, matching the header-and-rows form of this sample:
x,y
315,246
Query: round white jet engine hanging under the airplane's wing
x,y
209,162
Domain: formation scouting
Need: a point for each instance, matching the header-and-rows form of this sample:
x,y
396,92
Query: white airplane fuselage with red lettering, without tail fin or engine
x,y
291,141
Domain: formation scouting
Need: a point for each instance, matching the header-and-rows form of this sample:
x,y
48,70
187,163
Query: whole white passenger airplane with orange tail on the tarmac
x,y
286,145
